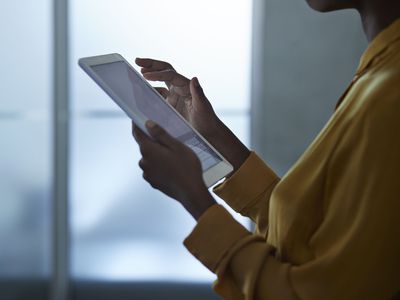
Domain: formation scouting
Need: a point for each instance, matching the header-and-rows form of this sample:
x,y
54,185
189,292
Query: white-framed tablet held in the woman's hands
x,y
141,102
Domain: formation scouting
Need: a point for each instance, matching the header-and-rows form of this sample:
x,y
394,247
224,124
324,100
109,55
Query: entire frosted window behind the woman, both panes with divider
x,y
121,230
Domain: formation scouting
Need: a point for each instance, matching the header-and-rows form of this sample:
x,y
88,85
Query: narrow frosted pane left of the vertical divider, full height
x,y
25,155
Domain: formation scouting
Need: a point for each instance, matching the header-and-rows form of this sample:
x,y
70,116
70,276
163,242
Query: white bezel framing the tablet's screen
x,y
210,176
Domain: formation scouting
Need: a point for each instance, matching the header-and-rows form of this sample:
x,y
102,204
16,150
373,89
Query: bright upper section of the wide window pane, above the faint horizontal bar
x,y
189,34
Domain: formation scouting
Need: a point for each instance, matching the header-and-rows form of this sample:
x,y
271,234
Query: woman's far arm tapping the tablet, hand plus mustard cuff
x,y
250,184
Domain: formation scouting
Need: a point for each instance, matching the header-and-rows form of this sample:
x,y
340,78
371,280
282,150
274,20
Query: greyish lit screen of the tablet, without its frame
x,y
146,104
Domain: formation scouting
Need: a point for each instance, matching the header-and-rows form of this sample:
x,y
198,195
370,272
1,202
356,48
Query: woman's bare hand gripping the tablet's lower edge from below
x,y
173,168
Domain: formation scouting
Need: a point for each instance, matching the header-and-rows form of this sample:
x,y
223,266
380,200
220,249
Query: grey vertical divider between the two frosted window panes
x,y
59,288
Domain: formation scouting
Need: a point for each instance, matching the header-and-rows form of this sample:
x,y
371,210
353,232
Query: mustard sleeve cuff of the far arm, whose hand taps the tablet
x,y
248,191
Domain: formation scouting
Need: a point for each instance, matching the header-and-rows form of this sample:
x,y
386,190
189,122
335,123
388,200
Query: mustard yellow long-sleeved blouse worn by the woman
x,y
330,228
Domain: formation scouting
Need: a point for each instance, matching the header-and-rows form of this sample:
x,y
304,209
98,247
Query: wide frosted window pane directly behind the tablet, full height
x,y
122,229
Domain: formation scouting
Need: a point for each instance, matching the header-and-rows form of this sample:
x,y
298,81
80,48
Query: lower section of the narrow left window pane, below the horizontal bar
x,y
25,198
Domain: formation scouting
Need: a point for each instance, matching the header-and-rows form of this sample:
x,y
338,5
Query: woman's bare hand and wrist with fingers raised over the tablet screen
x,y
188,98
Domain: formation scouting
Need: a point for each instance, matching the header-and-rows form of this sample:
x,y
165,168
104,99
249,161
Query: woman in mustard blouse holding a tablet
x,y
328,229
